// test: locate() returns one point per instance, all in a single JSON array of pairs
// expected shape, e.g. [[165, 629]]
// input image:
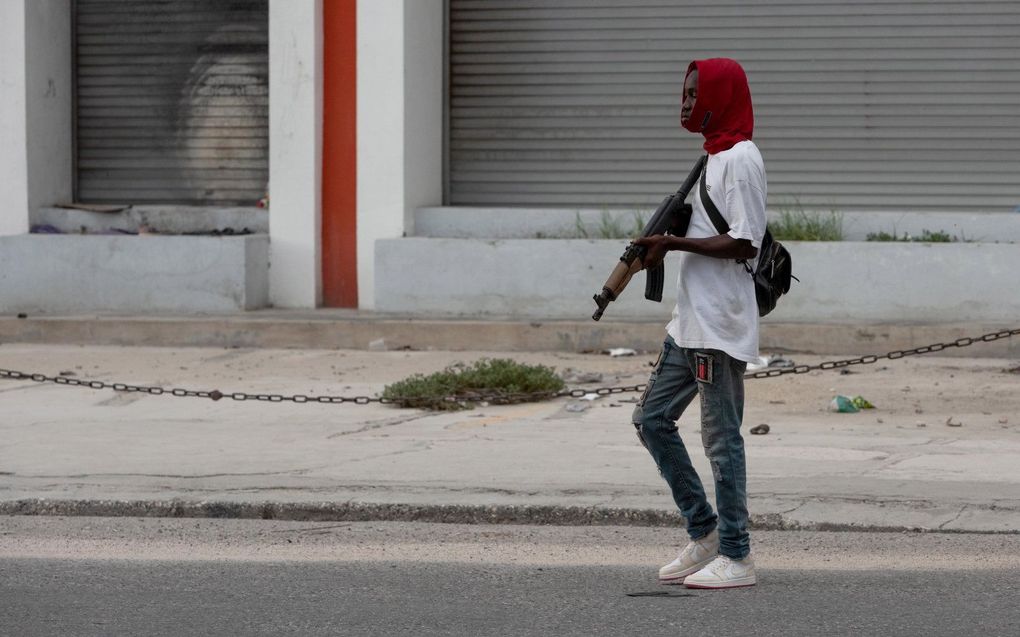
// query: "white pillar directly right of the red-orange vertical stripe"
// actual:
[[400, 123]]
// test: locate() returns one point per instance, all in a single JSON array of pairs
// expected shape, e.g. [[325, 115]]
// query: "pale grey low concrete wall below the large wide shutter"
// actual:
[[843, 282]]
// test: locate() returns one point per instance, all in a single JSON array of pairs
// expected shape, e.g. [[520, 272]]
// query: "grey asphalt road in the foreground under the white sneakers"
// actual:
[[183, 577]]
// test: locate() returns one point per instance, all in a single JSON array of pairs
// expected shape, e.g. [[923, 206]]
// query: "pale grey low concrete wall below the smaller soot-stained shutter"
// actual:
[[63, 274]]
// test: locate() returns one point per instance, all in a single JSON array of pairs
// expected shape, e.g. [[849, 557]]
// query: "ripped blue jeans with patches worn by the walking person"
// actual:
[[719, 379]]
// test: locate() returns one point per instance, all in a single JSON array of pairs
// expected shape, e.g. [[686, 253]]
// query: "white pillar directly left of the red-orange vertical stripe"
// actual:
[[295, 152]]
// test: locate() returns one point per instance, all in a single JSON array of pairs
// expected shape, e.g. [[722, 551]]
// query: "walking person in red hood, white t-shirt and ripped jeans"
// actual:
[[713, 335]]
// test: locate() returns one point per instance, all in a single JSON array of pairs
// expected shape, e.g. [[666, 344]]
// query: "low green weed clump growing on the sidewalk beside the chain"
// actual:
[[499, 379]]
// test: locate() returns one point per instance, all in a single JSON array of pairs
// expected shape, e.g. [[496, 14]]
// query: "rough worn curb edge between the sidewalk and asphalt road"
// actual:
[[436, 514]]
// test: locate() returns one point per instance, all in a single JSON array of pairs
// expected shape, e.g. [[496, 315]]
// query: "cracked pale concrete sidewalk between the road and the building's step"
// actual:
[[76, 451]]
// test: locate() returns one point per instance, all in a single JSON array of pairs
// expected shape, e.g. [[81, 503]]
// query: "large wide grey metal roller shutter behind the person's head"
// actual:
[[890, 105]]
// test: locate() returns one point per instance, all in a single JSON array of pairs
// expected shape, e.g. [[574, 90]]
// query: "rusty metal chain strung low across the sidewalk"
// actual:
[[494, 398]]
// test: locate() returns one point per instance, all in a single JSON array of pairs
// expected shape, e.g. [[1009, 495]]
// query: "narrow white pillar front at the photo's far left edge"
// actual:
[[14, 137]]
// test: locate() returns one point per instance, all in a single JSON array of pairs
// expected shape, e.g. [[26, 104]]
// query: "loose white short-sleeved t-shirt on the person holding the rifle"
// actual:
[[716, 298]]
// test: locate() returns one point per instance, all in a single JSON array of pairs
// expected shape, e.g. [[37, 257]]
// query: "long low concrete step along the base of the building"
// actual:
[[353, 331]]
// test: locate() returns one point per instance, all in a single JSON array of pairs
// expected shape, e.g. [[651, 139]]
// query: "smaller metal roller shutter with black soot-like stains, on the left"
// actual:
[[172, 101]]
